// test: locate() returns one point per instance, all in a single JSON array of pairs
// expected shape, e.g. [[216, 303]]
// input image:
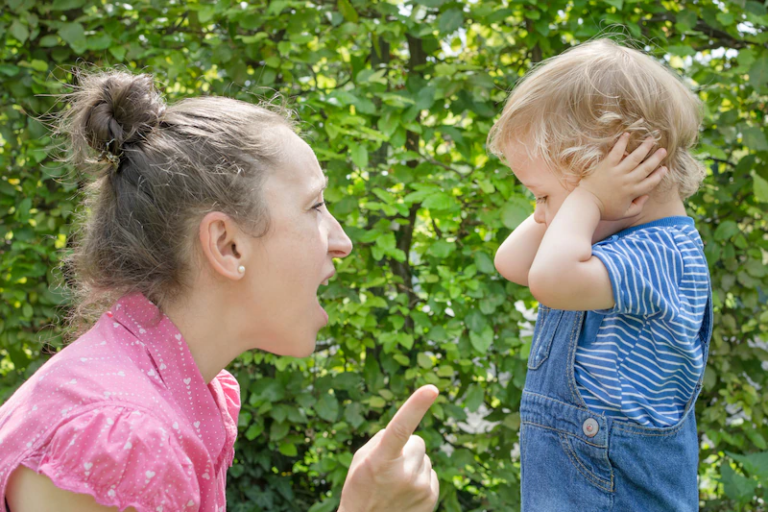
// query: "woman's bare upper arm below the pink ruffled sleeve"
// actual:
[[31, 492]]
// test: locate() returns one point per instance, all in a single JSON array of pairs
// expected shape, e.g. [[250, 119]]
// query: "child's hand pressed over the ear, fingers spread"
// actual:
[[620, 187]]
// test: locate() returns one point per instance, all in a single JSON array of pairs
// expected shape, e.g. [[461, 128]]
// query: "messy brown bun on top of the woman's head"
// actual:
[[111, 110]]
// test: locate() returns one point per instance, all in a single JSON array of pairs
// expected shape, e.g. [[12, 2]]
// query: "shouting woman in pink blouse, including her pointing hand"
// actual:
[[208, 236]]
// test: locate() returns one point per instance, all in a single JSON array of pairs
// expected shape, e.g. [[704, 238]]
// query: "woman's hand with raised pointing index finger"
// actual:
[[392, 471]]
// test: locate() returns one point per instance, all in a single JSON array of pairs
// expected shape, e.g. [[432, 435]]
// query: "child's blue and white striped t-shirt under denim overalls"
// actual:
[[642, 358]]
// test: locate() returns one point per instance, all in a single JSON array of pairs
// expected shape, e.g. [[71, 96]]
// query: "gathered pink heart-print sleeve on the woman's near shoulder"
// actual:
[[123, 458]]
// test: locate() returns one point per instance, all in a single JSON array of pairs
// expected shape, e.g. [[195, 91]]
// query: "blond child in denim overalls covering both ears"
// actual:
[[625, 316]]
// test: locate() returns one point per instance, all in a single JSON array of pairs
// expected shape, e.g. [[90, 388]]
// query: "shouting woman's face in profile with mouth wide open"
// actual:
[[285, 268]]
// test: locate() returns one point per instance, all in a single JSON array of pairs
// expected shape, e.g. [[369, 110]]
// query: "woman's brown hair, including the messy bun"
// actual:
[[159, 169]]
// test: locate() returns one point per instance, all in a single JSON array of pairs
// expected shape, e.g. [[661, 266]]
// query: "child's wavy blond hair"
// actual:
[[571, 109]]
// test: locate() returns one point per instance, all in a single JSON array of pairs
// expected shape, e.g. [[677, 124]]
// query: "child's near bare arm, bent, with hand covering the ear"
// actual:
[[564, 274]]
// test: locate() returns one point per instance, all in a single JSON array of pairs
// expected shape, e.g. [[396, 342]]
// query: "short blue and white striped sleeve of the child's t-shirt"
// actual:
[[646, 274]]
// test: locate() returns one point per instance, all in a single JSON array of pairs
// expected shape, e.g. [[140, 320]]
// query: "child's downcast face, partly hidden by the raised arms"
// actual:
[[550, 193]]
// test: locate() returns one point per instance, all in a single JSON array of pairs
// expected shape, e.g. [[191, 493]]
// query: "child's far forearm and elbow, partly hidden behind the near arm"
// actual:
[[515, 255]]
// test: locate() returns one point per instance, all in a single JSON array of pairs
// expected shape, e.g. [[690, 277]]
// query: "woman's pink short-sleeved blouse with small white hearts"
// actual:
[[124, 414]]
